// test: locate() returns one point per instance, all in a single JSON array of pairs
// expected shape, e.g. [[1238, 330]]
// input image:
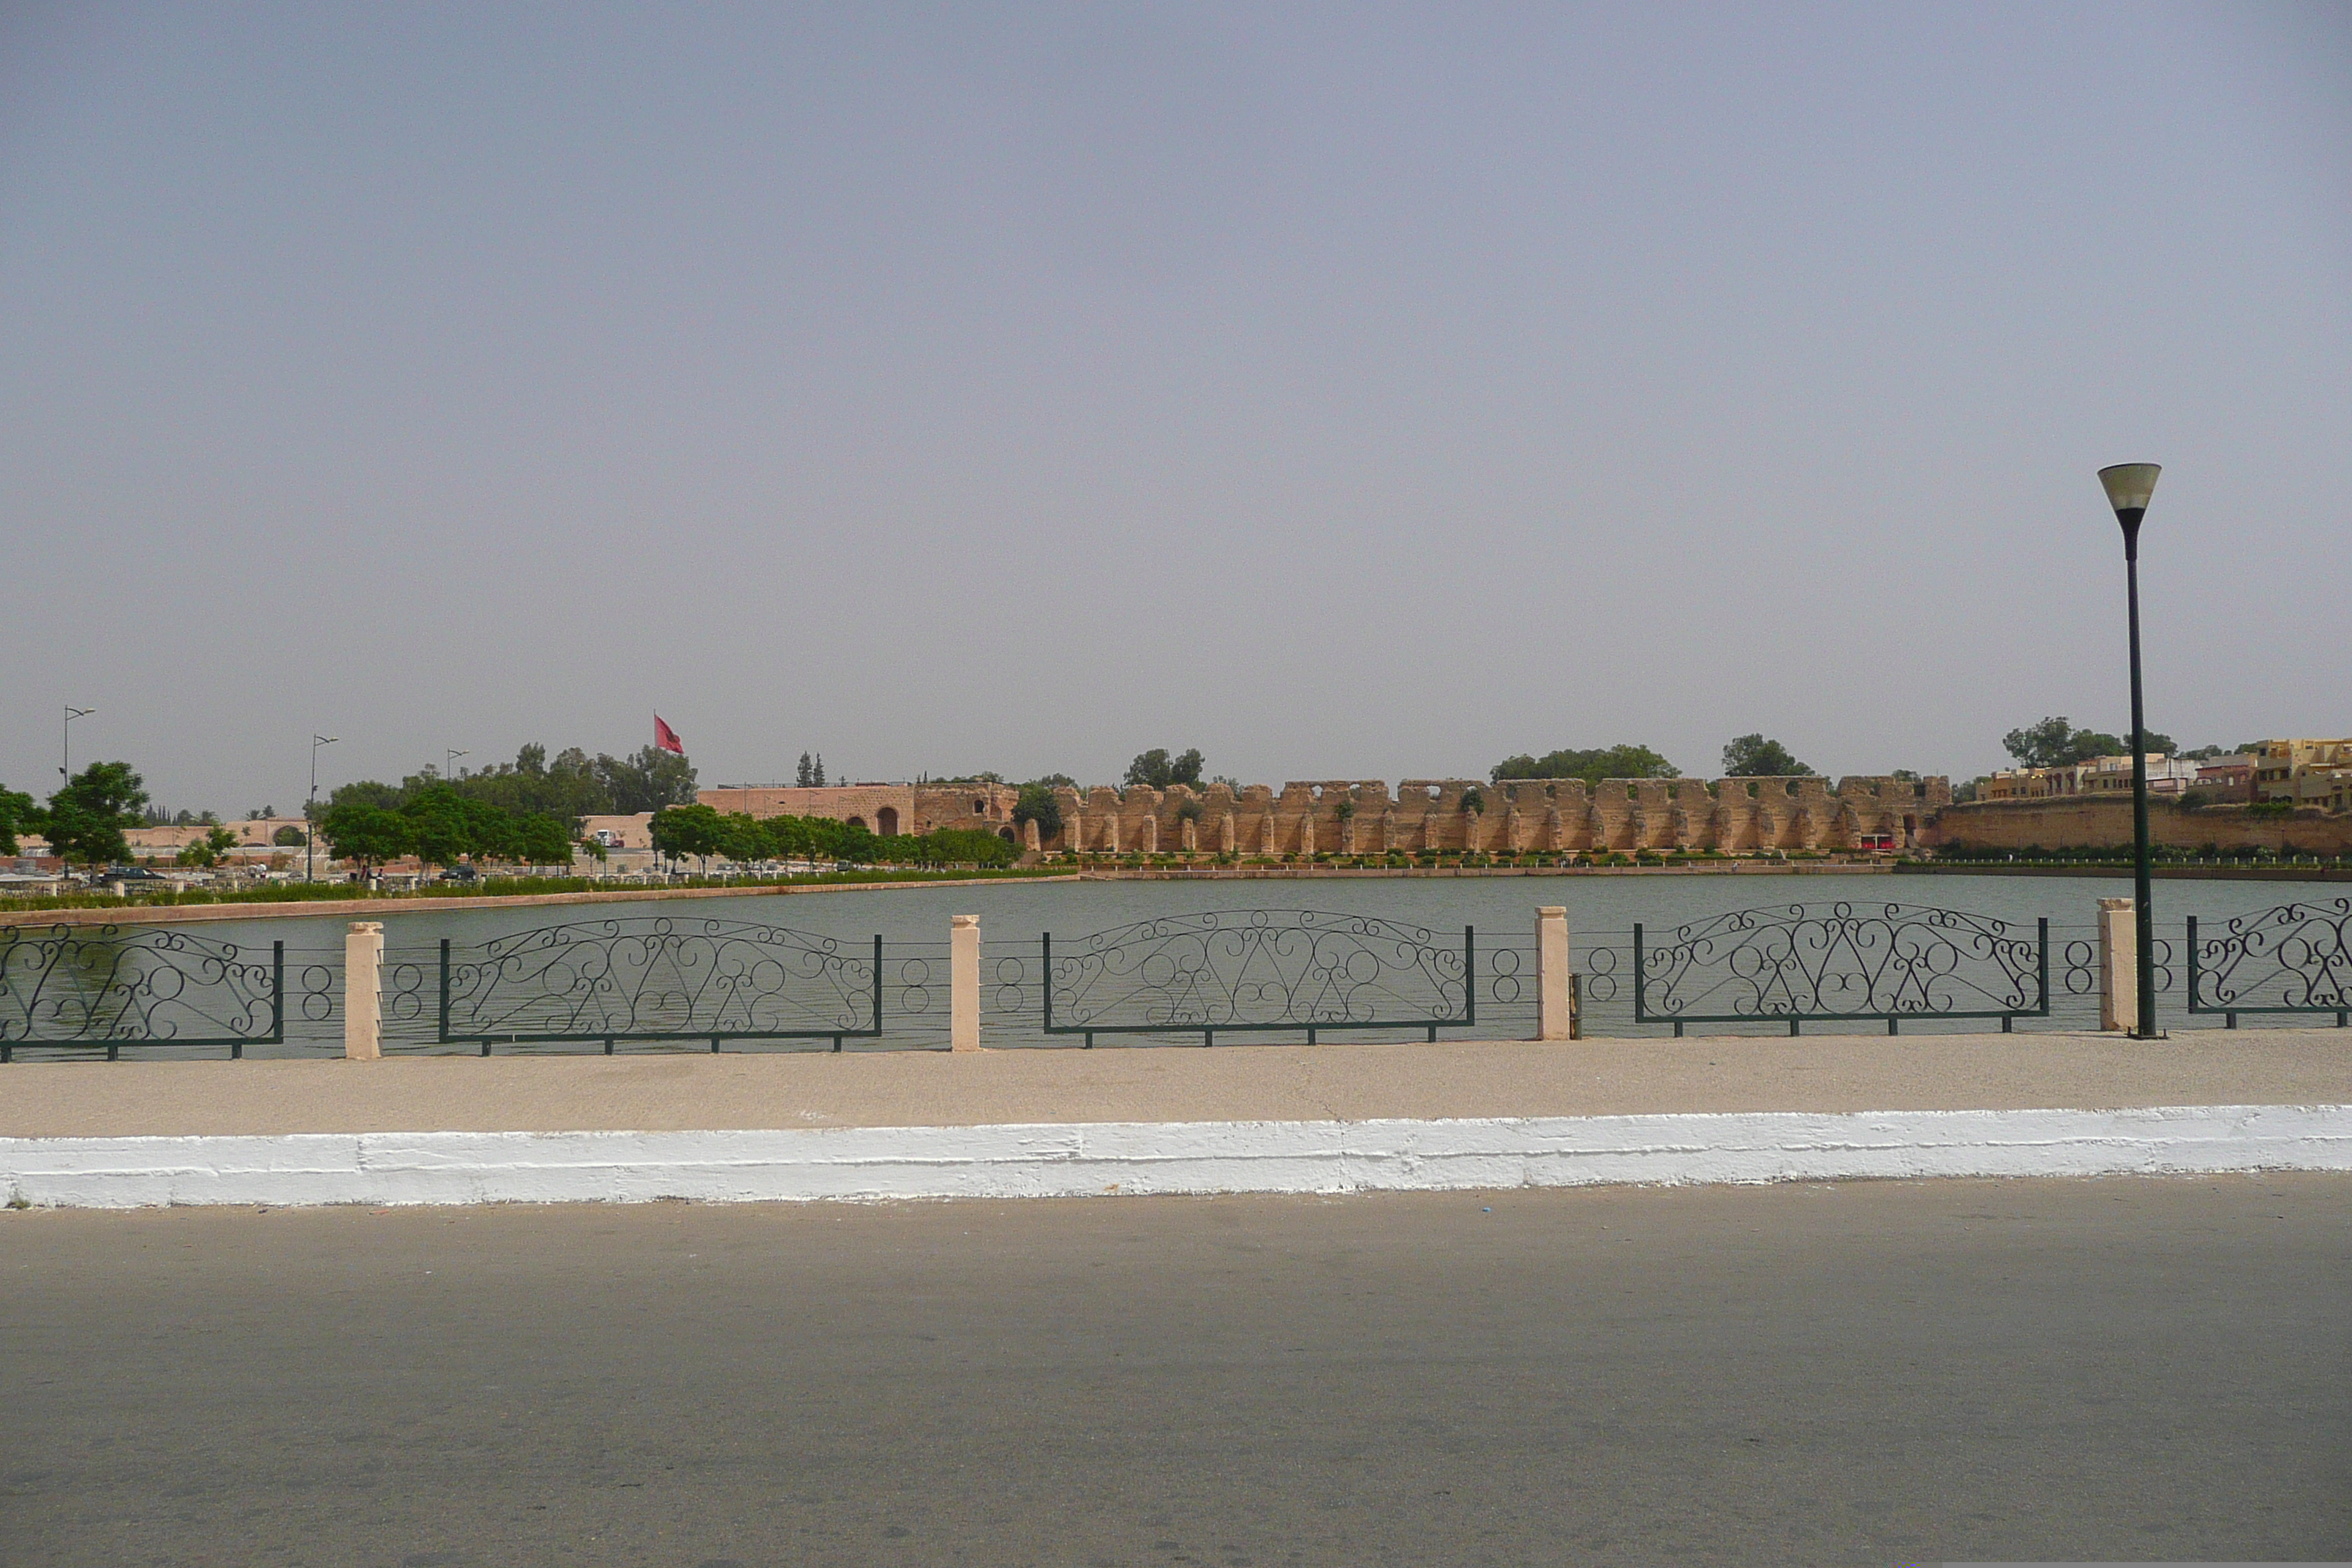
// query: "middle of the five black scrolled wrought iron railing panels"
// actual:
[[1252, 972]]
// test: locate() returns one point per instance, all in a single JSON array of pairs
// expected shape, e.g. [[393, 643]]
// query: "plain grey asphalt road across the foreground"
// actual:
[[1864, 1374]]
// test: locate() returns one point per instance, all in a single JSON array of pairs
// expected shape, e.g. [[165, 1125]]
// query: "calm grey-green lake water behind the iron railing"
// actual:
[[914, 927]]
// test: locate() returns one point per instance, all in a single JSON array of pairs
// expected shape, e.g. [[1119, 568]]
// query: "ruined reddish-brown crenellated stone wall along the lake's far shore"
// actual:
[[1516, 817]]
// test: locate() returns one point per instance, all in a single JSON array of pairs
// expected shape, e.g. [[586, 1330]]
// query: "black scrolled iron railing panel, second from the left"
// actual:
[[653, 979]]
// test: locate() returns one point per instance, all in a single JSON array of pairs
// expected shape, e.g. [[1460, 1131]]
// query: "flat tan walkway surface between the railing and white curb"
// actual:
[[1452, 1080]]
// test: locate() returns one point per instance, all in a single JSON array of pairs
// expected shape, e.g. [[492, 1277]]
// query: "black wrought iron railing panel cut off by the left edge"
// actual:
[[138, 986]]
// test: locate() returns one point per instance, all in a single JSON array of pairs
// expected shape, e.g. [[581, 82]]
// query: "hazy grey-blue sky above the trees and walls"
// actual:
[[1347, 391]]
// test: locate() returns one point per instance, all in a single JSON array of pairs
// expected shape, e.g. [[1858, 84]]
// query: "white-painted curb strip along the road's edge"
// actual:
[[1137, 1158]]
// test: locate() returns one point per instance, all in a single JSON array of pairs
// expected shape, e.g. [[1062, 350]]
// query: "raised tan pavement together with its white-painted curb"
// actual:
[[1168, 1120]]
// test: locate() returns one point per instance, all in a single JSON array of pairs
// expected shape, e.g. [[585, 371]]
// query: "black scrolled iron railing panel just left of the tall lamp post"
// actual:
[[1803, 965]]
